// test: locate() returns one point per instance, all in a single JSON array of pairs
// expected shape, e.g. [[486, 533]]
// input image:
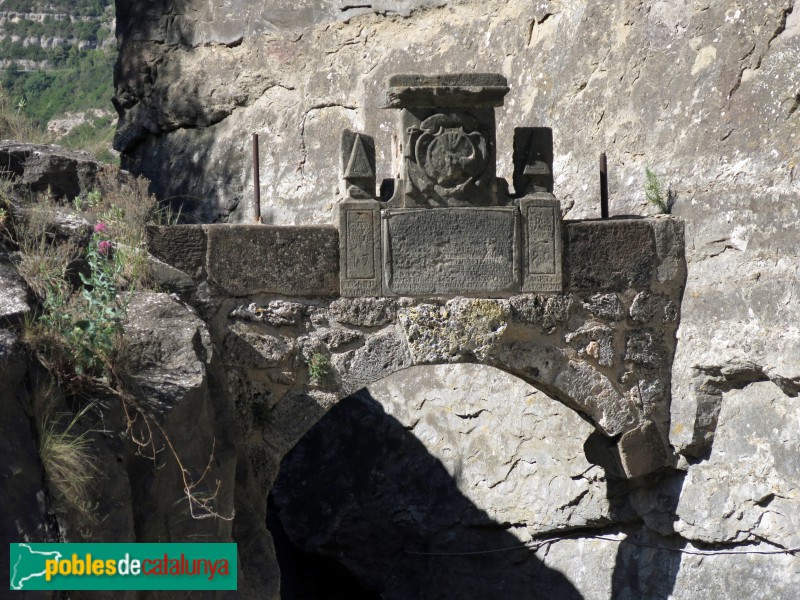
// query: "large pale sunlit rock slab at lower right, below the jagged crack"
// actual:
[[749, 486]]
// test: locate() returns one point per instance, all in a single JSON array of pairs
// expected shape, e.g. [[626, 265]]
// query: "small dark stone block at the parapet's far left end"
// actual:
[[180, 246]]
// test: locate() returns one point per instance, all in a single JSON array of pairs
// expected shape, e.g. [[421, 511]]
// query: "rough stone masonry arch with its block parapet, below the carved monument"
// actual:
[[292, 346]]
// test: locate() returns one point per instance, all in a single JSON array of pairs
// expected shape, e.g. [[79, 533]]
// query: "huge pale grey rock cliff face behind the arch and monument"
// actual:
[[704, 93]]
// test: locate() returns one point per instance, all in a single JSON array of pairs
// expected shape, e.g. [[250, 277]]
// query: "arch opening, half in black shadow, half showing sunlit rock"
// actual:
[[414, 483]]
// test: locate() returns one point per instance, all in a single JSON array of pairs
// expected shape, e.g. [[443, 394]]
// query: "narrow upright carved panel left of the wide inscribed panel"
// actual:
[[359, 248]]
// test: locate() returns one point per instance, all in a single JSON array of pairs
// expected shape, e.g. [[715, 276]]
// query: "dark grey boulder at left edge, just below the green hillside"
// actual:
[[39, 167]]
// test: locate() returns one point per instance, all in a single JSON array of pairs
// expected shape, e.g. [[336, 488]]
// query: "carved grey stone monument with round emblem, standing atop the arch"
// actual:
[[450, 227]]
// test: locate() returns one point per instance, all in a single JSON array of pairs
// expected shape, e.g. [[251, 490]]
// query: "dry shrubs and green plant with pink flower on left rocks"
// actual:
[[79, 327]]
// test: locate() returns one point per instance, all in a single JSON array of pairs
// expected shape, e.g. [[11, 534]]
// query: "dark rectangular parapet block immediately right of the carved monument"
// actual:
[[610, 255]]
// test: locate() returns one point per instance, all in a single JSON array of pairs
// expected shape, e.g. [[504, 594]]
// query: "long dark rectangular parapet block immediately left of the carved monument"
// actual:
[[264, 259]]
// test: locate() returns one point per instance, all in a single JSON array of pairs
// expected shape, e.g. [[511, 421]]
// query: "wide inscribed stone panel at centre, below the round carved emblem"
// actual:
[[450, 251]]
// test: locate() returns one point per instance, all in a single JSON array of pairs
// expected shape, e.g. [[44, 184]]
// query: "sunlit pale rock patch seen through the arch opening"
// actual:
[[517, 456]]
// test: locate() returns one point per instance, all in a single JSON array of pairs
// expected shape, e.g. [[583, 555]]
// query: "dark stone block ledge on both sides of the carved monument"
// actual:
[[599, 256]]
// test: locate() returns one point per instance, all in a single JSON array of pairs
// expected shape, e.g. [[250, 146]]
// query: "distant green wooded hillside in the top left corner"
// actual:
[[70, 80]]
